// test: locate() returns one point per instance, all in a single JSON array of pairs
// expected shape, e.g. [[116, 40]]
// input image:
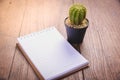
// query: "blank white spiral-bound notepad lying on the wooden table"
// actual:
[[50, 55]]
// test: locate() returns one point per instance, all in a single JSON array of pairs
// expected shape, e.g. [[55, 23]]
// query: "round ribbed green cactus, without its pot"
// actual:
[[77, 13]]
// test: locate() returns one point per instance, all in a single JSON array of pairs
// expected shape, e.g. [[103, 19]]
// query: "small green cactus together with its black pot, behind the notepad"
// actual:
[[76, 24]]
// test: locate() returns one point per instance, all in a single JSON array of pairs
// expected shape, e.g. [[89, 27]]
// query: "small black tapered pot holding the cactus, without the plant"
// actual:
[[75, 35]]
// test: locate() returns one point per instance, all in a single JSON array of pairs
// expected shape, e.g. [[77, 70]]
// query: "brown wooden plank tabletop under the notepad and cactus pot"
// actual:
[[101, 45]]
